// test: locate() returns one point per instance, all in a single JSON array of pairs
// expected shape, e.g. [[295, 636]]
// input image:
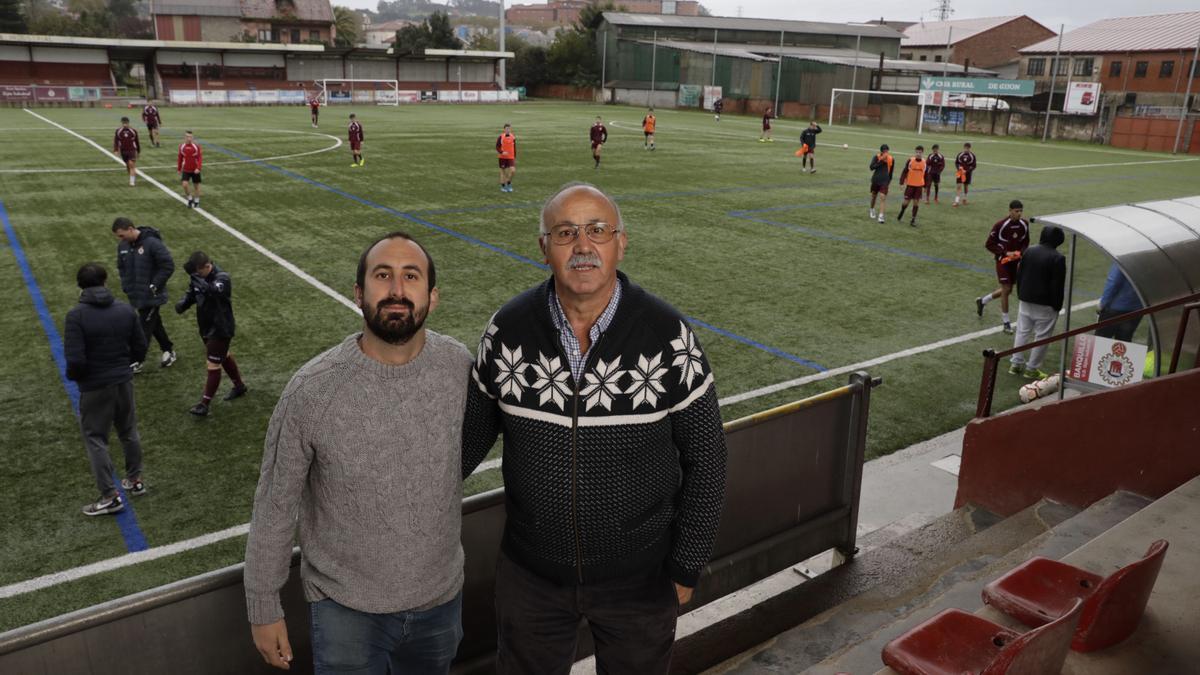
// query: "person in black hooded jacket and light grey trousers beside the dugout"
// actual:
[[1041, 278]]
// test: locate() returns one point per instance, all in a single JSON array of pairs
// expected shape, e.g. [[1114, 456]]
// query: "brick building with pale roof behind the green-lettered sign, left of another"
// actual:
[[993, 44]]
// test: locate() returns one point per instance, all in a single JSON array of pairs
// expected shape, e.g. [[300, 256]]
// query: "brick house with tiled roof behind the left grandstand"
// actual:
[[287, 22]]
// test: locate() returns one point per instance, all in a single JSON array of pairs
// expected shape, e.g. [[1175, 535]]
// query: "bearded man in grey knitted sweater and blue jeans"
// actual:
[[364, 455]]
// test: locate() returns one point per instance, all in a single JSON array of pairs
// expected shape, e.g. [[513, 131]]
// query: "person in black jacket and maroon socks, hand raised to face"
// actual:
[[212, 291]]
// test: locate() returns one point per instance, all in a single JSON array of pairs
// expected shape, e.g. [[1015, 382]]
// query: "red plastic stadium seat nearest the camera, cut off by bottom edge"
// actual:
[[955, 643]]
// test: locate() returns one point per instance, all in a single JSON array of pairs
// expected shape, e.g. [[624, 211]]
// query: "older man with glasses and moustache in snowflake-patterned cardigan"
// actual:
[[614, 453]]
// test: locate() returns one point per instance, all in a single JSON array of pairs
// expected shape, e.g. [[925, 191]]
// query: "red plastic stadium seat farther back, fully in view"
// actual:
[[1042, 590]]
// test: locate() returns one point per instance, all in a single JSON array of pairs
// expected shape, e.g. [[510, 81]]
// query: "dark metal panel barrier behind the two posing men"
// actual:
[[793, 491]]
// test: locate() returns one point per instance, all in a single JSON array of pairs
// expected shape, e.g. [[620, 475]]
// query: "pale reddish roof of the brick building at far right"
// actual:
[[1127, 34]]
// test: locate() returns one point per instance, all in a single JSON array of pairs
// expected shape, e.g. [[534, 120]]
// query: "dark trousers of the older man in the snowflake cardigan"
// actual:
[[633, 623]]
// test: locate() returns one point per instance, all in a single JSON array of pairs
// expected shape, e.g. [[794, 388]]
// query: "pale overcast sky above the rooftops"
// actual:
[[1072, 13]]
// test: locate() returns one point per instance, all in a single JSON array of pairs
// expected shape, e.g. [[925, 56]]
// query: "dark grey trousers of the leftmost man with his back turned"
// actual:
[[100, 411]]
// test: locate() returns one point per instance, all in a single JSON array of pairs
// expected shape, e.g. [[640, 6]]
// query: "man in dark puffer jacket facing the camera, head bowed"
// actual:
[[146, 265]]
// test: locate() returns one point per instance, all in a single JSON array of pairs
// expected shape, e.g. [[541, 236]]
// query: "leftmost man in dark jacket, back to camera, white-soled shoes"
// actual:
[[103, 338]]
